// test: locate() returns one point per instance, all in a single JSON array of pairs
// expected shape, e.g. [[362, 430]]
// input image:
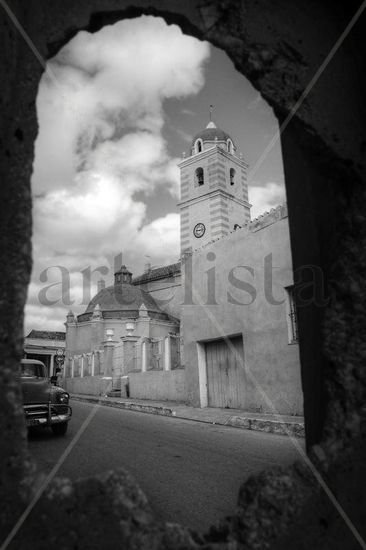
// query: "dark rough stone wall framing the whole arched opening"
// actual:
[[279, 46]]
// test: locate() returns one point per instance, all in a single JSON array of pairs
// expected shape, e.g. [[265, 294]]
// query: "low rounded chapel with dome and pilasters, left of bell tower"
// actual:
[[122, 330]]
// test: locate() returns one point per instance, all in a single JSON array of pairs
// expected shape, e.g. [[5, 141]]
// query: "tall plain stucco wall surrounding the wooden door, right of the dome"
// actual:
[[273, 363]]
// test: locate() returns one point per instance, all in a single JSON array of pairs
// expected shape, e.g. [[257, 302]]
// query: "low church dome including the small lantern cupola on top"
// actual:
[[122, 300]]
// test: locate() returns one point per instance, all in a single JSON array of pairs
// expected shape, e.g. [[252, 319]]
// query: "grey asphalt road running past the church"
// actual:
[[190, 471]]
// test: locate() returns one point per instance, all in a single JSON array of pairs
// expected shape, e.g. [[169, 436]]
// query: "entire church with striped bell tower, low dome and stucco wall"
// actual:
[[218, 327]]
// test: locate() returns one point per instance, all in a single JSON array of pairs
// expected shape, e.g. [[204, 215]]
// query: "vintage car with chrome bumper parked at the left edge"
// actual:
[[44, 404]]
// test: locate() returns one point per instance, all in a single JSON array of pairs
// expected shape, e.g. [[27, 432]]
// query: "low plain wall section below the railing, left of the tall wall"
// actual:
[[165, 385]]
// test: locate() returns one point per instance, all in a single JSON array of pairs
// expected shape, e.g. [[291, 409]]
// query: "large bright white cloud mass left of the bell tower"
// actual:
[[100, 141]]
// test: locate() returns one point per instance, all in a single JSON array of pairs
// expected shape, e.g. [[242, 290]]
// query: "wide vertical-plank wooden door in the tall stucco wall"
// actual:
[[225, 373]]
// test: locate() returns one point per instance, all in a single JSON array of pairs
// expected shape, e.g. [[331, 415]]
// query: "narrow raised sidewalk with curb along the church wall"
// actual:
[[270, 423]]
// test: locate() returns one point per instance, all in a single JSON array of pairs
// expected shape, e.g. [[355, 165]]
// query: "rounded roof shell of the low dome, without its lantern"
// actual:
[[123, 298]]
